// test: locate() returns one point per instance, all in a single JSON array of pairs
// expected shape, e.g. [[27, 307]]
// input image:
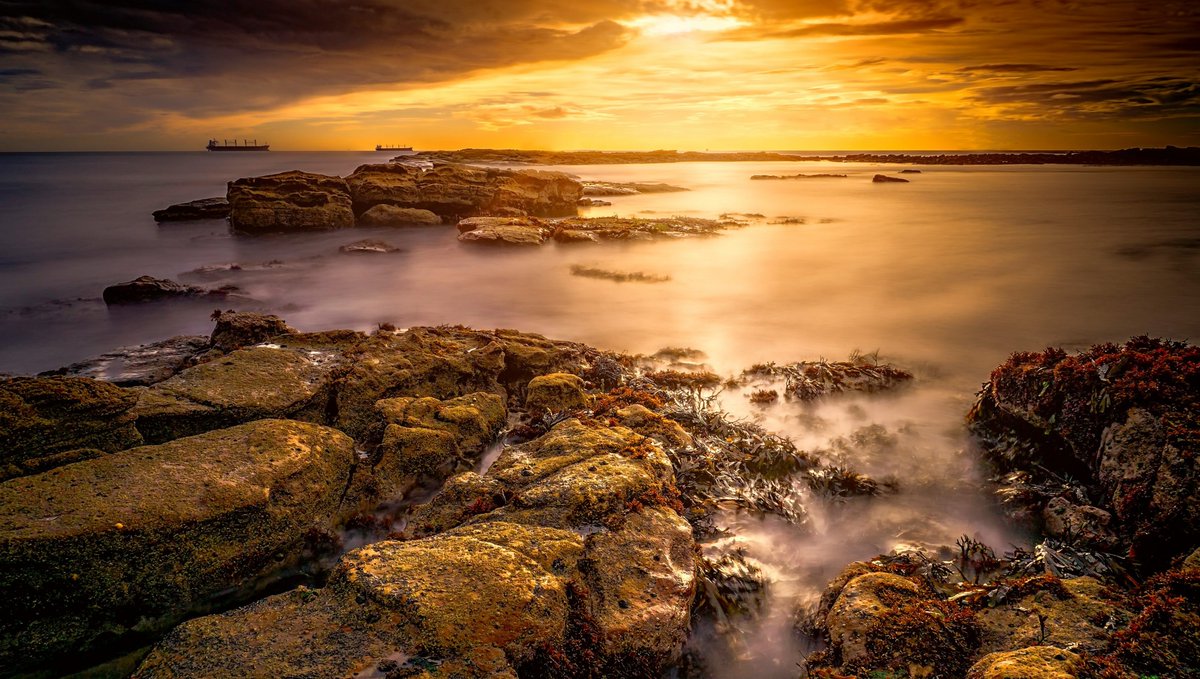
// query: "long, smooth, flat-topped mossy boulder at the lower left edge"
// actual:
[[97, 554]]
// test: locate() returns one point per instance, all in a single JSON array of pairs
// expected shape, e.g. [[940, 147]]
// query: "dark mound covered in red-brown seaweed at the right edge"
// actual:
[[1121, 423]]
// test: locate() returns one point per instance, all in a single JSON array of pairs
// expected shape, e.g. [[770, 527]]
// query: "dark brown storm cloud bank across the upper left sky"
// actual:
[[235, 56]]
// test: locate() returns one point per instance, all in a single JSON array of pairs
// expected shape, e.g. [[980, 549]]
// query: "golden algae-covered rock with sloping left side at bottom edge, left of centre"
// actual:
[[475, 603]]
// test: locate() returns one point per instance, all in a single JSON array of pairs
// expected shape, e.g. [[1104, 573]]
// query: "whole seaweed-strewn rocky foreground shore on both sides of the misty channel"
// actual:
[[244, 468]]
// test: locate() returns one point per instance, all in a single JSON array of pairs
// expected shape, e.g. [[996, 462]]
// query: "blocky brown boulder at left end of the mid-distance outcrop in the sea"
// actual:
[[290, 202]]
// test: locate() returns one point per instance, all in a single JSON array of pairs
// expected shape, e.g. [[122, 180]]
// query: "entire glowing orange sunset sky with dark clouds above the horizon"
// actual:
[[693, 75]]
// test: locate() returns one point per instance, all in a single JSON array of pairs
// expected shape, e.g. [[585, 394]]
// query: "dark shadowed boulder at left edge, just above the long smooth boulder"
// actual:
[[51, 422]]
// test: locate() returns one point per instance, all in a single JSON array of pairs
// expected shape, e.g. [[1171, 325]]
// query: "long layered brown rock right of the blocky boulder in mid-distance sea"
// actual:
[[454, 191]]
